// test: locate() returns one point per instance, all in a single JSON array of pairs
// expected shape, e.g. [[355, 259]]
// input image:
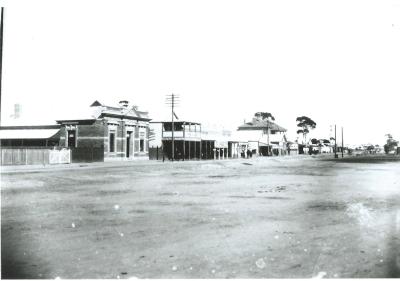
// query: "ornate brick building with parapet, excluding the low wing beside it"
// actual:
[[119, 133]]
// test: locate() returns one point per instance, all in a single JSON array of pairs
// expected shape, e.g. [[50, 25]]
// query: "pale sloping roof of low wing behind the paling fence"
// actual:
[[28, 132]]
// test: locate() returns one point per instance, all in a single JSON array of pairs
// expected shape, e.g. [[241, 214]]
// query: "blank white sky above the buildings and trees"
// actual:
[[337, 62]]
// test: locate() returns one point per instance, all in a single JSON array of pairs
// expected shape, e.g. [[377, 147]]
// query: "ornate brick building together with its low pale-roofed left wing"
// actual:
[[100, 133]]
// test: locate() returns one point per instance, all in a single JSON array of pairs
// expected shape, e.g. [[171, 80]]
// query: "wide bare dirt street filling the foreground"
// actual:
[[245, 218]]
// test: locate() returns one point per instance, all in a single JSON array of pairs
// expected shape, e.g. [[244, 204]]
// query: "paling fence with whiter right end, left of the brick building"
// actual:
[[34, 156]]
